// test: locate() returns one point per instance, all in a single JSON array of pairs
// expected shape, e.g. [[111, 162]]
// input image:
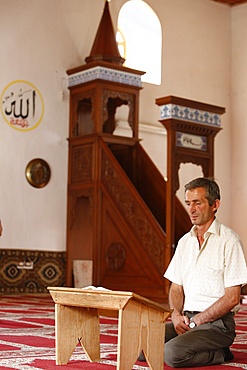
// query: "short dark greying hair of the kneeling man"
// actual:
[[211, 187]]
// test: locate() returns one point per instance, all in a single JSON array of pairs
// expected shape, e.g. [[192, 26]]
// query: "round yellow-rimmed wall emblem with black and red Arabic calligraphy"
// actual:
[[22, 105]]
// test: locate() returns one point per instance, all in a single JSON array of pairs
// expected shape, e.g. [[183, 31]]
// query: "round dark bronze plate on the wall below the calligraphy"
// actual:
[[38, 173]]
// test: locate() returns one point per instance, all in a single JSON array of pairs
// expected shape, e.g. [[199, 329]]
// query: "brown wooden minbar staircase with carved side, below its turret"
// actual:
[[117, 215]]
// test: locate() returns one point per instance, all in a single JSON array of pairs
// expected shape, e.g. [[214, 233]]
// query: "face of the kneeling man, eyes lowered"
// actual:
[[198, 208]]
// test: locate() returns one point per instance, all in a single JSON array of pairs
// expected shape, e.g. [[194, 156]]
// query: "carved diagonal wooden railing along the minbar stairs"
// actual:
[[133, 208]]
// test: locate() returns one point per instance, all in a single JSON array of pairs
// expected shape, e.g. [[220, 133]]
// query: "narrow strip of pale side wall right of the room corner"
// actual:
[[239, 122]]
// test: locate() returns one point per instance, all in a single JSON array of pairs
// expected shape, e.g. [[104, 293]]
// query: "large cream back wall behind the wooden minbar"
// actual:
[[42, 39]]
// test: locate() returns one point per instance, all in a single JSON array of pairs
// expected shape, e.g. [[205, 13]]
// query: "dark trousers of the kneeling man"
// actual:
[[200, 346]]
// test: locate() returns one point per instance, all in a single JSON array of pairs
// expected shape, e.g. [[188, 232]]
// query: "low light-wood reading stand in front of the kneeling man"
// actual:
[[141, 325]]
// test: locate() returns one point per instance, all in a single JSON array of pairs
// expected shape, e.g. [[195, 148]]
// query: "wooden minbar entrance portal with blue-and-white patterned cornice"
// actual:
[[191, 129]]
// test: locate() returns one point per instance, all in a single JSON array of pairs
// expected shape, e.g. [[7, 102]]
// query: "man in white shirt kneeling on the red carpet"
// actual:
[[206, 274]]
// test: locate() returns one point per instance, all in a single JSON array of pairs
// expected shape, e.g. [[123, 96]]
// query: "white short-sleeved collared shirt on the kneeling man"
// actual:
[[205, 273]]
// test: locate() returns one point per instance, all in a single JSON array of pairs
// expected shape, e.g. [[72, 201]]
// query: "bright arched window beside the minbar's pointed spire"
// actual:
[[141, 39]]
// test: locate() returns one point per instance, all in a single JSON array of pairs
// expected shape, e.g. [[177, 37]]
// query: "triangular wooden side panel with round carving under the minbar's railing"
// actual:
[[125, 263]]
